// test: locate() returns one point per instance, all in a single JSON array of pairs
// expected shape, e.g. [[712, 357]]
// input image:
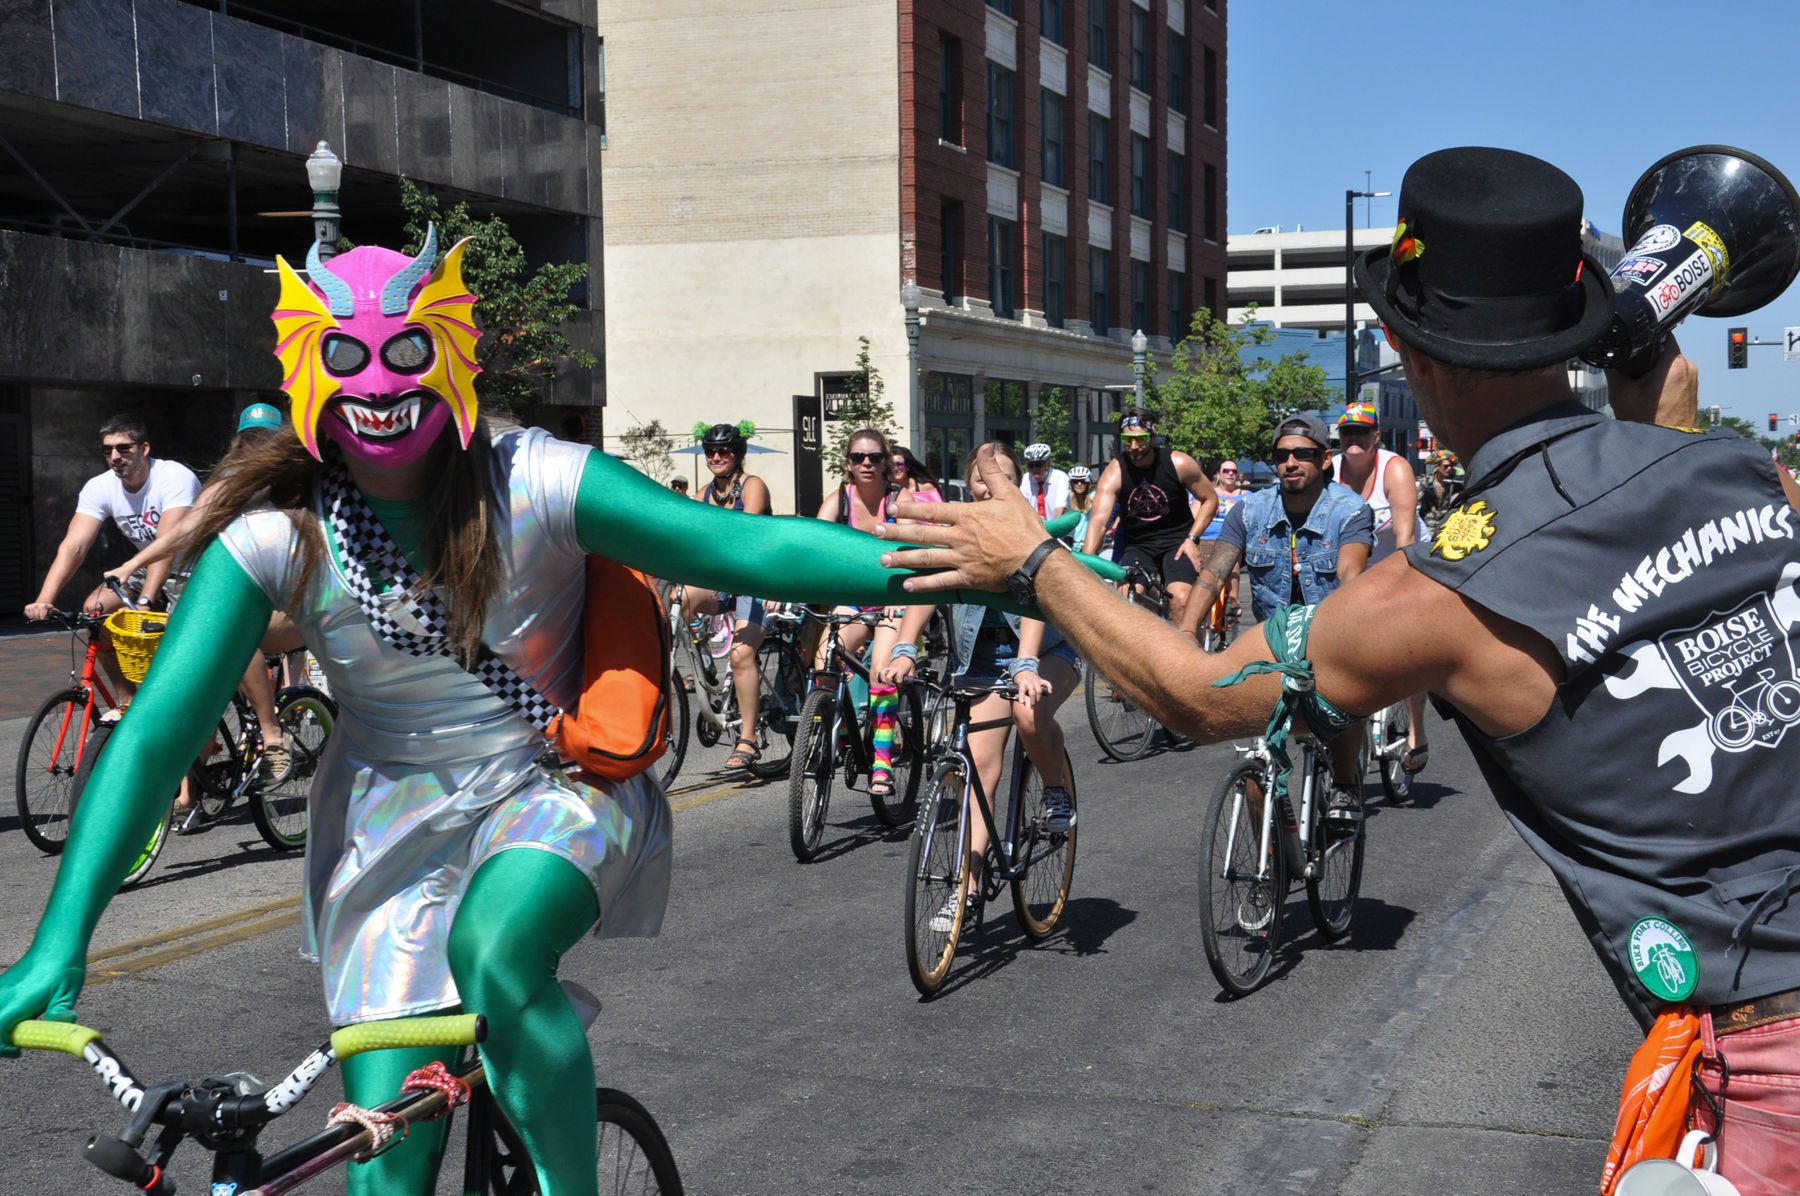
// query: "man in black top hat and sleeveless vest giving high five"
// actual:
[[1621, 653]]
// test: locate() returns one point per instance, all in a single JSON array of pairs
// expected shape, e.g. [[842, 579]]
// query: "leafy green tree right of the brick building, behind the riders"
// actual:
[[1216, 404]]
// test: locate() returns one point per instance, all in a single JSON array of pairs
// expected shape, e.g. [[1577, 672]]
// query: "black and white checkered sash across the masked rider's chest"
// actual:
[[372, 561]]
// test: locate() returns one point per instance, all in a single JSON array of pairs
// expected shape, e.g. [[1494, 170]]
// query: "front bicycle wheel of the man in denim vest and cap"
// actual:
[[1241, 912]]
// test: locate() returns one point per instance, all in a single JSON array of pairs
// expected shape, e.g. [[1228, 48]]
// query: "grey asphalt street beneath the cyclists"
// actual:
[[1462, 1040]]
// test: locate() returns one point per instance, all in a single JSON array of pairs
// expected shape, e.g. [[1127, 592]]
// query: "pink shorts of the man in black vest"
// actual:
[[1759, 1148]]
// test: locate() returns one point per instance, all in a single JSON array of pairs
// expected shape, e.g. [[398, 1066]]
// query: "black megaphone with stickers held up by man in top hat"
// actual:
[[1713, 230]]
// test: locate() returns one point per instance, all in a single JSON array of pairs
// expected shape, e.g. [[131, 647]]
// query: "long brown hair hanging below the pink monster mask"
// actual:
[[462, 514]]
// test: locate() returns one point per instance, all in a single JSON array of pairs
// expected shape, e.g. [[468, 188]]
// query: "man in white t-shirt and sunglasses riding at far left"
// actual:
[[136, 493]]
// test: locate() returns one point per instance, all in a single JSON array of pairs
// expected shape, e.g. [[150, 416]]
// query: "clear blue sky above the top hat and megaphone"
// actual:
[[1324, 91]]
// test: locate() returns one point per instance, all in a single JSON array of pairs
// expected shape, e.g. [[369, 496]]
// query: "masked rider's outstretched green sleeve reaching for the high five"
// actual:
[[627, 518]]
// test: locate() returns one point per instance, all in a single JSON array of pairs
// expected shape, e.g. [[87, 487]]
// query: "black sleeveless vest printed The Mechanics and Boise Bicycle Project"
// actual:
[[1662, 783]]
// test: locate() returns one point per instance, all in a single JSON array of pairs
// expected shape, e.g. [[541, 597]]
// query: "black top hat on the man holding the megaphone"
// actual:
[[1486, 269]]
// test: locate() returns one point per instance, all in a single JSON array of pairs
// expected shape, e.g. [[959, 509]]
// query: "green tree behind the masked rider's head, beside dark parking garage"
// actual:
[[519, 309]]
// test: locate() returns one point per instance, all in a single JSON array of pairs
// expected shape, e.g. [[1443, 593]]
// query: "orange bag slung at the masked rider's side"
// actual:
[[620, 727]]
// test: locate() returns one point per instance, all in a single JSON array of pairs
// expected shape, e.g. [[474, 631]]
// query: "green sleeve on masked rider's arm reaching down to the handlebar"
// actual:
[[215, 630]]
